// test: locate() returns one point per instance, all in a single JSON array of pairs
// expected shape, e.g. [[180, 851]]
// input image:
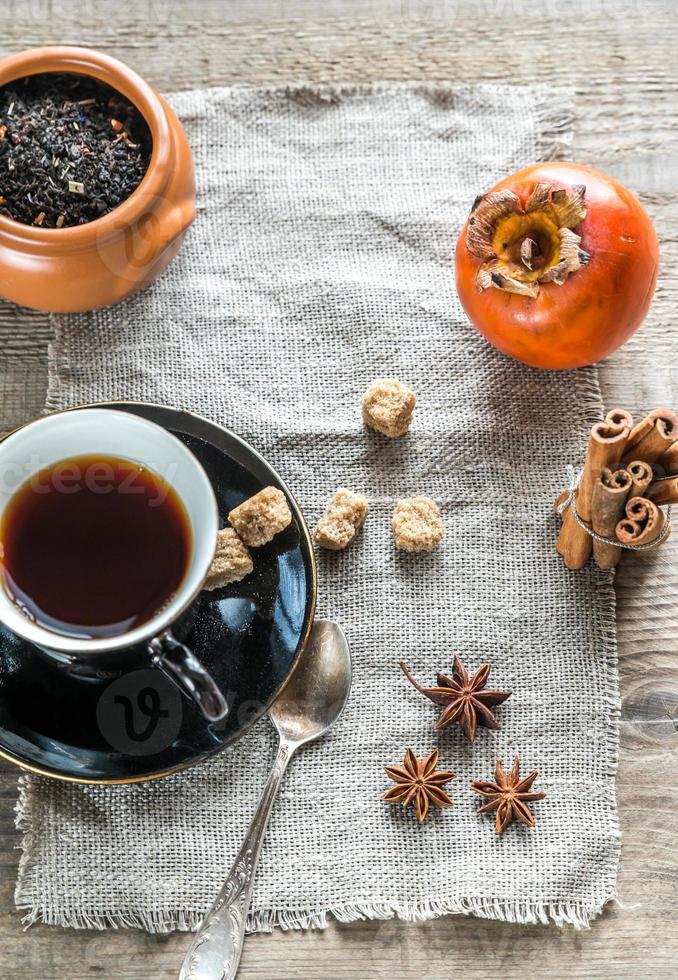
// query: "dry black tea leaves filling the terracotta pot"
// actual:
[[71, 150]]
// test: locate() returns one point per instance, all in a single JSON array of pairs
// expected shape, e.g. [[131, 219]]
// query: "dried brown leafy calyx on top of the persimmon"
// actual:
[[523, 247]]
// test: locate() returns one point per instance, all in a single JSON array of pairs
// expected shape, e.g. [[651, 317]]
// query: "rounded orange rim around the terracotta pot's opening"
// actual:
[[75, 60]]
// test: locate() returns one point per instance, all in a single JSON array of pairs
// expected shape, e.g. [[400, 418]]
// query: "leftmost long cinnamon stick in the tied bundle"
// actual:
[[606, 445]]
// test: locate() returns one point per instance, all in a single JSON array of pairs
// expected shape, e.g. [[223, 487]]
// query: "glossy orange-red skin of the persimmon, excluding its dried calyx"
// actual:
[[600, 306]]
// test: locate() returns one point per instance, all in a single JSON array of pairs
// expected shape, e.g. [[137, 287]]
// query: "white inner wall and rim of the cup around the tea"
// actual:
[[90, 431]]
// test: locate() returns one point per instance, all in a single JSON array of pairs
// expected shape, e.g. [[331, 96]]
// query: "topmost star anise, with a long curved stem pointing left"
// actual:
[[466, 701]]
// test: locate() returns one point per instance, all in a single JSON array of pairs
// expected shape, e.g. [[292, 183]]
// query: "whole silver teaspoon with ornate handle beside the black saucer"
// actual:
[[310, 704]]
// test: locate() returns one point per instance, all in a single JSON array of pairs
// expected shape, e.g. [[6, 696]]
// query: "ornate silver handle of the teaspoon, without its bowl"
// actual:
[[217, 947]]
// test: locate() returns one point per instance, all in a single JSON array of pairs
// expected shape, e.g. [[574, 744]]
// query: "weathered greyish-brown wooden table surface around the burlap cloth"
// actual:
[[619, 58]]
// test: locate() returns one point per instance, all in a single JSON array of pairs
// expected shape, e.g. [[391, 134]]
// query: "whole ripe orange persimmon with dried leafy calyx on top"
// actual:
[[556, 265]]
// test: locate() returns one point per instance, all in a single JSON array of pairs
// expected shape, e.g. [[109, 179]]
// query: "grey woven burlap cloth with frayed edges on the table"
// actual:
[[321, 258]]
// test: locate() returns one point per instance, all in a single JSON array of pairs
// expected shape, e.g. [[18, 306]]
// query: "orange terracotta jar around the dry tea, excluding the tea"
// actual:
[[64, 270]]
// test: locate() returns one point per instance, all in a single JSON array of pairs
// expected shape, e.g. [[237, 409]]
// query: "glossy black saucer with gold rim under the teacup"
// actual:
[[129, 727]]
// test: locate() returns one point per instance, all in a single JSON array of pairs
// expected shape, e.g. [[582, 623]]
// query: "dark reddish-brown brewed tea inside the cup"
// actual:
[[94, 546]]
